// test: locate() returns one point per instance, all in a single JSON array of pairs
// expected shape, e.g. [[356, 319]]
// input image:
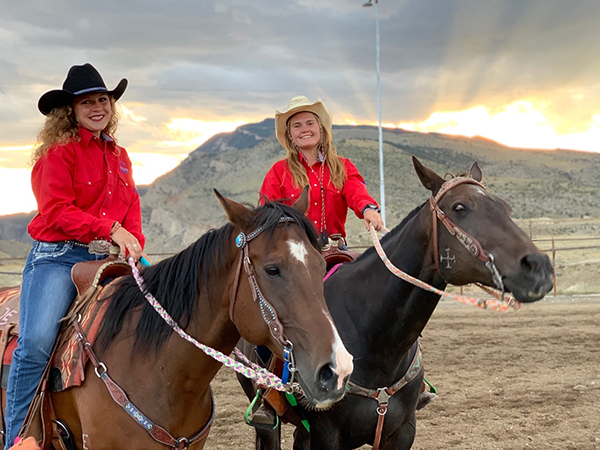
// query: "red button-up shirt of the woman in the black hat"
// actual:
[[81, 189]]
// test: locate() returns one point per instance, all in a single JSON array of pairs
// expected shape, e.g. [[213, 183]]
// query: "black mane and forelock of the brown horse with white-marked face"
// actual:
[[176, 282]]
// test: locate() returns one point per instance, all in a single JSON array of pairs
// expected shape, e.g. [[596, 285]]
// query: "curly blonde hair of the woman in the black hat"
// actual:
[[62, 127]]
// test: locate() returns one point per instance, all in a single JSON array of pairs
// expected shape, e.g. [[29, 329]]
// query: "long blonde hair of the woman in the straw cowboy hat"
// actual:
[[337, 171]]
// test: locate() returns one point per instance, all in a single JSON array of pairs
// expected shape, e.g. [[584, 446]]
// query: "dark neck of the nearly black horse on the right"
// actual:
[[385, 315]]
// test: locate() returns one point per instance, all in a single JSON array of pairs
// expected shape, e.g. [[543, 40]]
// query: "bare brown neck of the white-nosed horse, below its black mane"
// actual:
[[178, 379]]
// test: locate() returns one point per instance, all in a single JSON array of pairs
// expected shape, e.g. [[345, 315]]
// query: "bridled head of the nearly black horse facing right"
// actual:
[[479, 240]]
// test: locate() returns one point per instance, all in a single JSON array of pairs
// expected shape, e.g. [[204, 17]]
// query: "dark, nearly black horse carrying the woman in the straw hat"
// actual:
[[380, 316]]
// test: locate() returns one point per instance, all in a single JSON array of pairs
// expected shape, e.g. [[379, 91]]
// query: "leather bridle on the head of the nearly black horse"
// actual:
[[472, 245]]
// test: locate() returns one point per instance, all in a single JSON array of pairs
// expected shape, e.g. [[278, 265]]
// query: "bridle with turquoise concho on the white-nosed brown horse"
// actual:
[[267, 310]]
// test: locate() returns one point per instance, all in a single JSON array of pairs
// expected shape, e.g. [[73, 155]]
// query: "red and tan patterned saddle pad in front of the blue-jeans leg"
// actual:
[[69, 358]]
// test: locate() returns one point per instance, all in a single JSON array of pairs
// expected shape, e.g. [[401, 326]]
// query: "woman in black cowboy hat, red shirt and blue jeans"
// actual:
[[86, 199]]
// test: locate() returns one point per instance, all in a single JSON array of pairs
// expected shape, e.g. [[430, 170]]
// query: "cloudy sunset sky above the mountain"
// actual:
[[522, 72]]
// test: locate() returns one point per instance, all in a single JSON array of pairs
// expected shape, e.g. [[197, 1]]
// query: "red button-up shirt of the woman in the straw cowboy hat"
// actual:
[[278, 185]]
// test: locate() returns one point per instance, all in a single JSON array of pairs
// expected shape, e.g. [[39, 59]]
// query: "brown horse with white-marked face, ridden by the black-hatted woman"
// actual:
[[166, 379]]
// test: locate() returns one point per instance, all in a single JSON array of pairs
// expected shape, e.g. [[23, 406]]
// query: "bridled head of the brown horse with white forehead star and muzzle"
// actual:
[[282, 306]]
